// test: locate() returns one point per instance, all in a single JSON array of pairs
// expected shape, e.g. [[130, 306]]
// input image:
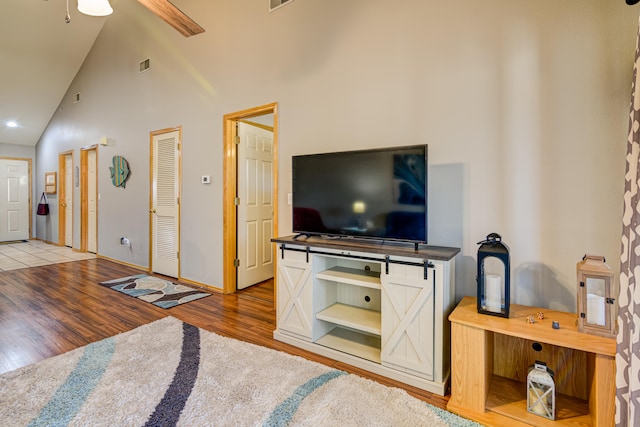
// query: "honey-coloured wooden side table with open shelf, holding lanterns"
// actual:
[[490, 357]]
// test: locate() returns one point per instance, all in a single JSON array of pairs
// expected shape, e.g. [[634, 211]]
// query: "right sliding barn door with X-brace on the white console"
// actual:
[[408, 320]]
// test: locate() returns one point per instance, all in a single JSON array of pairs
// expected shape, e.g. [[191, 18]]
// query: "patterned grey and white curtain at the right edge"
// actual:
[[628, 342]]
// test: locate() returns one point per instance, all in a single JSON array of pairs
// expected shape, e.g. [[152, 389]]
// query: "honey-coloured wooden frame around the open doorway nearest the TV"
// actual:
[[230, 188]]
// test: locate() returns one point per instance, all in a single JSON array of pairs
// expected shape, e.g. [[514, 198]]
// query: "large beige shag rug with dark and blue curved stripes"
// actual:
[[170, 373]]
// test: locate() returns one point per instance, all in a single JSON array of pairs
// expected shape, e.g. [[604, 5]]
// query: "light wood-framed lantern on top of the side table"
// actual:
[[597, 308]]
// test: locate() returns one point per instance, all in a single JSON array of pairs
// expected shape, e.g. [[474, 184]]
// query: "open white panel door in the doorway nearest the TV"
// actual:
[[255, 211]]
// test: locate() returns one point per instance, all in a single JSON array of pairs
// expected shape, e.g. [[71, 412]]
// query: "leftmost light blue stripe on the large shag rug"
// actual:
[[70, 396]]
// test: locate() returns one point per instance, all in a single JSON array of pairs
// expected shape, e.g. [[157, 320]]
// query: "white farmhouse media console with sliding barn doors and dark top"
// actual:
[[379, 306]]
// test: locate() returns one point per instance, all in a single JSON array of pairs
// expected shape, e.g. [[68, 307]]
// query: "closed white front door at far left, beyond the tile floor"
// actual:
[[14, 200]]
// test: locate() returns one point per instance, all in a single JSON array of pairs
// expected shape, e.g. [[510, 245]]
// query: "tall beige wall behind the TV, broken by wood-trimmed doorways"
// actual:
[[524, 105]]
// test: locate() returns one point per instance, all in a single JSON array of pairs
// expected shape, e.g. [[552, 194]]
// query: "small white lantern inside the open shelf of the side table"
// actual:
[[541, 391]]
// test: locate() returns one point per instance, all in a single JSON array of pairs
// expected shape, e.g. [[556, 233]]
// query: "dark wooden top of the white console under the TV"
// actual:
[[391, 248]]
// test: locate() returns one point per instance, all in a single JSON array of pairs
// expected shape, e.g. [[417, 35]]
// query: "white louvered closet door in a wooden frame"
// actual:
[[165, 204]]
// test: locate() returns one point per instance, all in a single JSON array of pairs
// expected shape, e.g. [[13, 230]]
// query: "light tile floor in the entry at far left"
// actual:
[[34, 253]]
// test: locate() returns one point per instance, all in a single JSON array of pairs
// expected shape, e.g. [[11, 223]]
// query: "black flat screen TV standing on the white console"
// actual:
[[377, 194]]
